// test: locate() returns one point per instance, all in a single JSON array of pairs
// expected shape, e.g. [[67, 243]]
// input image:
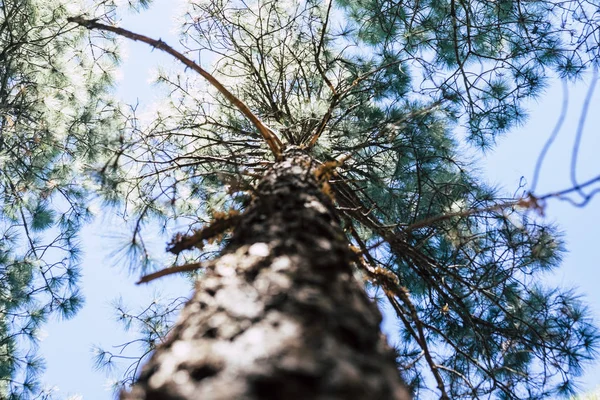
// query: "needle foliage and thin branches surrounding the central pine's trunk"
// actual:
[[384, 83]]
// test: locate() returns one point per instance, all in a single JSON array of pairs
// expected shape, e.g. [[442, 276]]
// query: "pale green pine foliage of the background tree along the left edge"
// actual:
[[54, 118]]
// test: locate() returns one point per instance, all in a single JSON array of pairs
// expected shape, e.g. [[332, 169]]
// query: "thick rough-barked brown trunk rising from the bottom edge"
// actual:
[[279, 315]]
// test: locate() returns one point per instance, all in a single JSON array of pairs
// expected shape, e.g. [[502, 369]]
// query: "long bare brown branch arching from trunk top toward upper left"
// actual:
[[268, 135]]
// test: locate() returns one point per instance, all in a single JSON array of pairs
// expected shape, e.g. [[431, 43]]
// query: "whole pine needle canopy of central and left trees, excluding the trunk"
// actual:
[[384, 95]]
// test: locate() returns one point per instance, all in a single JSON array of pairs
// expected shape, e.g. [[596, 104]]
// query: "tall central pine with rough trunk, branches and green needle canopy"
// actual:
[[323, 147]]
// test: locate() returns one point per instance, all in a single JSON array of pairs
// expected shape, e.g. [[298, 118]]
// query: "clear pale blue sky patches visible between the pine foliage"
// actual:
[[67, 347]]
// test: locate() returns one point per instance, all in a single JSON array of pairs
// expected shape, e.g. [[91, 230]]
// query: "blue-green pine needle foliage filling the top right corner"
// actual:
[[484, 56]]
